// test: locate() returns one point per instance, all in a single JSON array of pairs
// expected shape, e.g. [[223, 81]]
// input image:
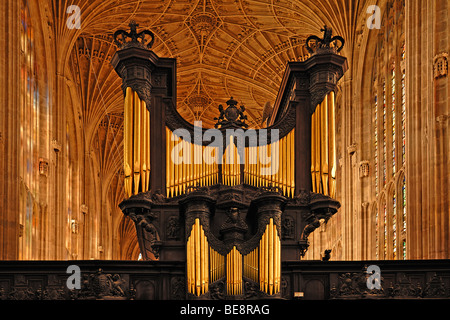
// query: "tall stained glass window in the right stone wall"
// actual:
[[389, 136]]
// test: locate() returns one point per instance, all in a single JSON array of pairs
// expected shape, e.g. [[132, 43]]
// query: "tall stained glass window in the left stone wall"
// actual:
[[34, 115]]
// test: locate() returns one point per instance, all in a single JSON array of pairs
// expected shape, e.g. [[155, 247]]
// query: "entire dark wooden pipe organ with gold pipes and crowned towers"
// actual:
[[244, 213]]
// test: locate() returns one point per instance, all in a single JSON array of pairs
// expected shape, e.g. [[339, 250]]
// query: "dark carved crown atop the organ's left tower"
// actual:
[[133, 38]]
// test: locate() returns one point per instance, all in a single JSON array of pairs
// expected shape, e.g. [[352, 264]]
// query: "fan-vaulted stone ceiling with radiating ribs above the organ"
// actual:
[[235, 48]]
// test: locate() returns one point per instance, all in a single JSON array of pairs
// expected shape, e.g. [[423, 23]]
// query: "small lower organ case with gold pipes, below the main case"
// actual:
[[259, 260]]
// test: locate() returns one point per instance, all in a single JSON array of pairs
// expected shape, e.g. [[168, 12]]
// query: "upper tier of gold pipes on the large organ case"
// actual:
[[198, 165]]
